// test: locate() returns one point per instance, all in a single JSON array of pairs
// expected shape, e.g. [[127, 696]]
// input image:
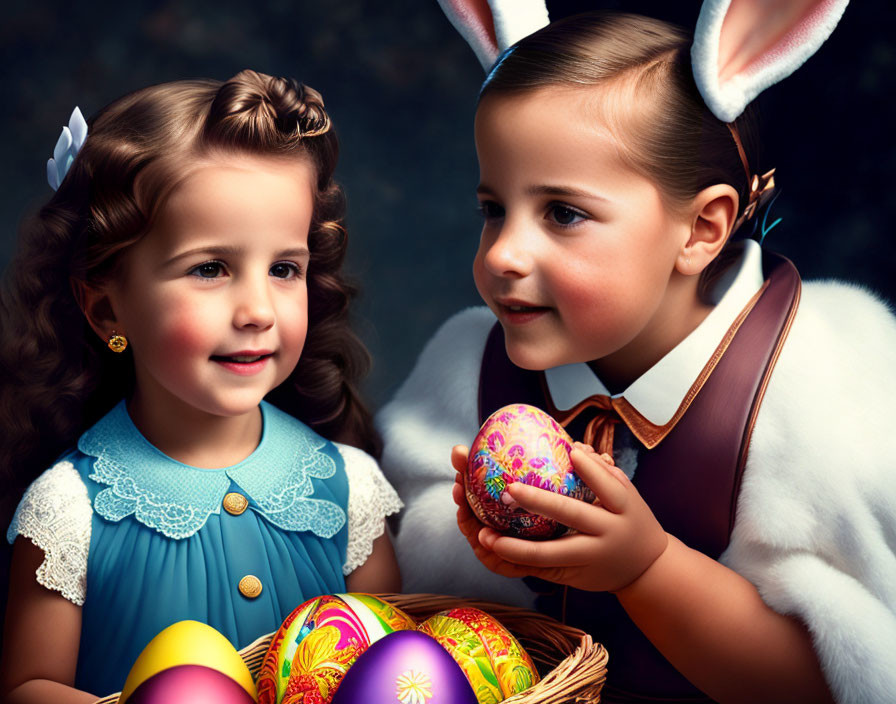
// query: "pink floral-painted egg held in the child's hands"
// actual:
[[520, 443]]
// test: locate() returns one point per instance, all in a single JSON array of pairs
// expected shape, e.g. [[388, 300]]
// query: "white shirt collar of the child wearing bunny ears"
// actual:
[[658, 392]]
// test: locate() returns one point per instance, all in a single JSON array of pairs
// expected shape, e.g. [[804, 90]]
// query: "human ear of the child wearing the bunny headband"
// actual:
[[713, 216]]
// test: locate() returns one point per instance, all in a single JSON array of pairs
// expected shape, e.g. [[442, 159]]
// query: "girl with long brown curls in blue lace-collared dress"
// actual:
[[176, 326]]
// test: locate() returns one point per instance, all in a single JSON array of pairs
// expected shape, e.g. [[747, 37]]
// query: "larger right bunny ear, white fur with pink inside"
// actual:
[[741, 47]]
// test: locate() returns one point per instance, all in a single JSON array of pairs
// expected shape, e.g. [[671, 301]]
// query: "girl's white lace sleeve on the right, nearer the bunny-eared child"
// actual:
[[370, 499]]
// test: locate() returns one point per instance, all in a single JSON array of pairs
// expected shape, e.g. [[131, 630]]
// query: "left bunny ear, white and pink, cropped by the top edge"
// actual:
[[490, 26]]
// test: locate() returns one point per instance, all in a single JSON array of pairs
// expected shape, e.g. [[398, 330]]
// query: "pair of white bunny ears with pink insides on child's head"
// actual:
[[741, 47]]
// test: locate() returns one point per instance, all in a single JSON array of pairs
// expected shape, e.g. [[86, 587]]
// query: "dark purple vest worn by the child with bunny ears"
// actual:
[[690, 480]]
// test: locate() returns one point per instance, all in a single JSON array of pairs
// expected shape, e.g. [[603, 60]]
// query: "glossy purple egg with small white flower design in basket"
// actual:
[[405, 667]]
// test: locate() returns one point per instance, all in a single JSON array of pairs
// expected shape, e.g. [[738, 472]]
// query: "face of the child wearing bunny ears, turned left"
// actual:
[[578, 251]]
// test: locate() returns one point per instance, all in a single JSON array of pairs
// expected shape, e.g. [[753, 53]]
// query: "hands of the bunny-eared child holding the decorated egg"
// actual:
[[618, 537]]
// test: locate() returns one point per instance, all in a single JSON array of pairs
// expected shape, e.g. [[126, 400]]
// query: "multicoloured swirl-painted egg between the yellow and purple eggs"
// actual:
[[318, 642]]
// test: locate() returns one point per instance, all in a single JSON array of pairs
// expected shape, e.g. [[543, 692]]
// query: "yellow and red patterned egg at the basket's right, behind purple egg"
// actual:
[[492, 659]]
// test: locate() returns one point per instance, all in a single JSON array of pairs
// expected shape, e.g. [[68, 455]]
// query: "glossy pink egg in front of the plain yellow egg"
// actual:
[[190, 684]]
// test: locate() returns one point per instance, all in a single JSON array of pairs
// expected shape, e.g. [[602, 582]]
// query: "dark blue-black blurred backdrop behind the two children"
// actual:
[[400, 85]]
